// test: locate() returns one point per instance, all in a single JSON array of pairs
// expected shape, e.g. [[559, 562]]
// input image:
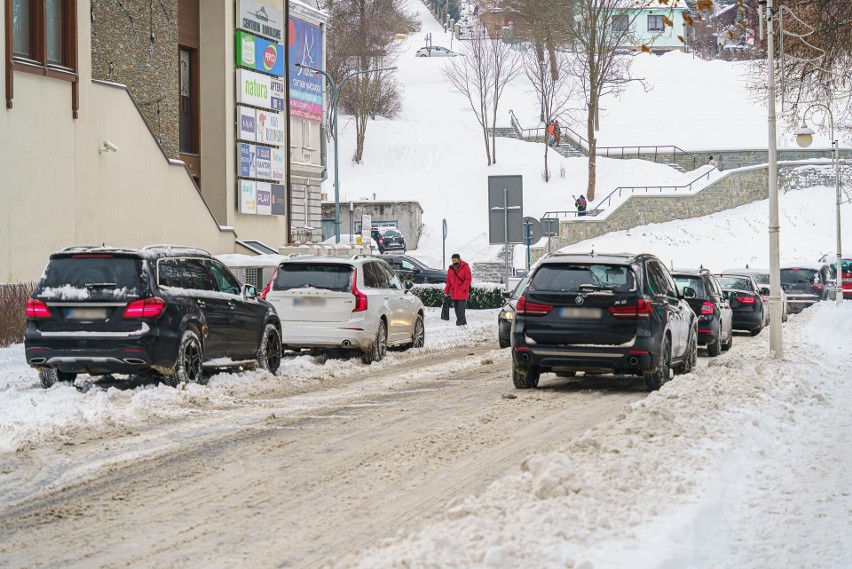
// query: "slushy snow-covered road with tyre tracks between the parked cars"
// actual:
[[291, 476]]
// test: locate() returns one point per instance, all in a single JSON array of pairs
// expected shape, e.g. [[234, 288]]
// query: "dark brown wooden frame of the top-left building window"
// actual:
[[38, 63]]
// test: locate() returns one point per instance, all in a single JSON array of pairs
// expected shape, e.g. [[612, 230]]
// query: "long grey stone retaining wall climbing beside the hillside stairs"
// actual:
[[734, 189]]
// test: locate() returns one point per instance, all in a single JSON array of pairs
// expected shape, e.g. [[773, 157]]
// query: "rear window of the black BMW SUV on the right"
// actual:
[[570, 277]]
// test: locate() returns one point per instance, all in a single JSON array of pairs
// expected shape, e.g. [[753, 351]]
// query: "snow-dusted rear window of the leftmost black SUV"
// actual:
[[81, 277]]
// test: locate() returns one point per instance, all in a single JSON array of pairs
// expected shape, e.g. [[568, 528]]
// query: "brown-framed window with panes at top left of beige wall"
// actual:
[[43, 42]]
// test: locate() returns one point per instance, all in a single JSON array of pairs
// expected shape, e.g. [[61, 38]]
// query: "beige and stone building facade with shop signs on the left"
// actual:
[[122, 125]]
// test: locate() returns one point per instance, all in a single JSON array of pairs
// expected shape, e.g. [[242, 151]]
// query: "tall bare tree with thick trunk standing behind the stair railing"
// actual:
[[599, 30]]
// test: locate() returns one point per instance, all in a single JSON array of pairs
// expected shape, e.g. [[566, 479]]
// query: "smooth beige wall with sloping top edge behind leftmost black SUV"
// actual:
[[57, 190]]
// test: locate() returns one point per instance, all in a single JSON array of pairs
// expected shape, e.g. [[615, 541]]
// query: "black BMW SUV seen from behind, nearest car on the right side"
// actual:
[[617, 313]]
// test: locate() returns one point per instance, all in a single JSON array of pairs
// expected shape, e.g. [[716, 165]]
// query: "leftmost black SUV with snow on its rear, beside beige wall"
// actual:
[[158, 310]]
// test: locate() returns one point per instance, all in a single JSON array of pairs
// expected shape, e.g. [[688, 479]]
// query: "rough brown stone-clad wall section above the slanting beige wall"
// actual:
[[122, 35]]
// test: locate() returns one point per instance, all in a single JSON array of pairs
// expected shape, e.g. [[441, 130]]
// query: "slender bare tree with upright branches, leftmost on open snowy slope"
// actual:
[[481, 76]]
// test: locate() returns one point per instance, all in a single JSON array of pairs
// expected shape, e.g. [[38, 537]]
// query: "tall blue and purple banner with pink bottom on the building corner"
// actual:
[[305, 86]]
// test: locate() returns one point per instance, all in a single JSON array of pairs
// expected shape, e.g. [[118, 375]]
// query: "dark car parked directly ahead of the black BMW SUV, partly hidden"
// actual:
[[715, 317]]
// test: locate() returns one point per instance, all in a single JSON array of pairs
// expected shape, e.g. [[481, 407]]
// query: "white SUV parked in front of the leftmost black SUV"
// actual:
[[351, 303]]
